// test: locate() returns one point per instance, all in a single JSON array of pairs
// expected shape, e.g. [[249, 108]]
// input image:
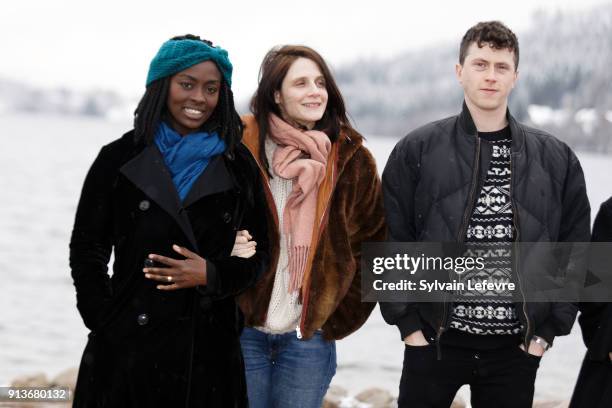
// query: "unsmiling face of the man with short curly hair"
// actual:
[[487, 76]]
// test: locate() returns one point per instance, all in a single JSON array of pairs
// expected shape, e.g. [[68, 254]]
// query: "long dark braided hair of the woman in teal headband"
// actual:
[[152, 110]]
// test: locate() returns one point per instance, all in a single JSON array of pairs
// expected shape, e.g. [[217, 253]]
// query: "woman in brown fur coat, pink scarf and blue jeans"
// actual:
[[324, 200]]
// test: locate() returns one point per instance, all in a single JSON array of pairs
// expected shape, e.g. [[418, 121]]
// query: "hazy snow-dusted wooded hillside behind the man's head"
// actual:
[[565, 72]]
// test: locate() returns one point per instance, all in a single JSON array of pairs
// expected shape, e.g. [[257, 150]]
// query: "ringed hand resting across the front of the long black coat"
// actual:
[[179, 273]]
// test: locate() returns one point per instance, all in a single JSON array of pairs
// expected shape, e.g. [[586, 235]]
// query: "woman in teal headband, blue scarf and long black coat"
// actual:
[[168, 199]]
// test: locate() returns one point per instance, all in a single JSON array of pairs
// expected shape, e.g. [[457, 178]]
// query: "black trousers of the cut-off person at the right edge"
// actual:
[[594, 385]]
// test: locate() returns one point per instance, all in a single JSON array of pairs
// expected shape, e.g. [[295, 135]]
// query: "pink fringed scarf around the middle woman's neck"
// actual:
[[301, 156]]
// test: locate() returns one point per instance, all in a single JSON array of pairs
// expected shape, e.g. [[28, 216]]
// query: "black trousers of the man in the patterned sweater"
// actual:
[[498, 378]]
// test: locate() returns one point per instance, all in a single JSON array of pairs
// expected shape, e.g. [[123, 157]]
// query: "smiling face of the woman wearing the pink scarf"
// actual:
[[302, 98]]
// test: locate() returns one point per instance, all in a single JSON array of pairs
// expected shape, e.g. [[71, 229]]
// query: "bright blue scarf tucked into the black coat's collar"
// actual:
[[187, 156]]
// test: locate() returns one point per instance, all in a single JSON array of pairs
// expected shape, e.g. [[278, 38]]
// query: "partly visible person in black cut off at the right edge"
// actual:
[[594, 385]]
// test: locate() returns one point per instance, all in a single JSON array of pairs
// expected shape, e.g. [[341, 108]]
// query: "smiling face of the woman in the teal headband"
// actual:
[[193, 96]]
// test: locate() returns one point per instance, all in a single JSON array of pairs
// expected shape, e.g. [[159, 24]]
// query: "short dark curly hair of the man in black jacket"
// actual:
[[492, 33]]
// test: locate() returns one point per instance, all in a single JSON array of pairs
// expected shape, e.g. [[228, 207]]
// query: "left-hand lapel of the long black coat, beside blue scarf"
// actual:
[[149, 173]]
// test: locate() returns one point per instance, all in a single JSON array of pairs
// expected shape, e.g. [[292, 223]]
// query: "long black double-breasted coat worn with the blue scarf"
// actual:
[[152, 348]]
